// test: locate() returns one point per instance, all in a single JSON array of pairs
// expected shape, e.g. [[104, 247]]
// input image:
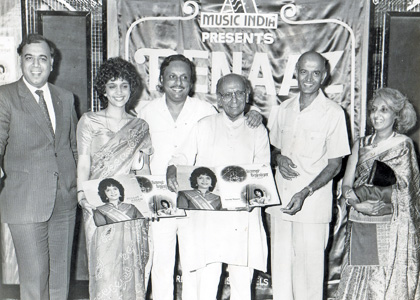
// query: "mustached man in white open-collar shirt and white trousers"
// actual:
[[171, 119]]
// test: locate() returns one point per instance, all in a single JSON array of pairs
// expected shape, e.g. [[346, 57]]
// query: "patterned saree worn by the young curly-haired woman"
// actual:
[[118, 254]]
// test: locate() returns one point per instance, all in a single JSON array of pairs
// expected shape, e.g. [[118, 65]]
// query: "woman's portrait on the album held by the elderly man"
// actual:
[[203, 181]]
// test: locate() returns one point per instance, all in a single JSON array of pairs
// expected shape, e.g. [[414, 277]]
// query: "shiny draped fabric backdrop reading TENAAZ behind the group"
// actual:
[[249, 37]]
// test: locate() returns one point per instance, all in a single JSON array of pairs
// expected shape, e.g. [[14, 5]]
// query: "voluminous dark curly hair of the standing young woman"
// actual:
[[118, 68]]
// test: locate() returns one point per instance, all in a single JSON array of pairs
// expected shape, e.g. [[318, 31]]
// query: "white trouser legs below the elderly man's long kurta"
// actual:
[[240, 279]]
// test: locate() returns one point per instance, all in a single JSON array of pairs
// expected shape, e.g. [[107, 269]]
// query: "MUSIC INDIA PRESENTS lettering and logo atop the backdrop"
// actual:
[[238, 14]]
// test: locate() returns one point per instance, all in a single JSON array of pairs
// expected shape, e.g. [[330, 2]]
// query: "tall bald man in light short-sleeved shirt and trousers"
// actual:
[[309, 137]]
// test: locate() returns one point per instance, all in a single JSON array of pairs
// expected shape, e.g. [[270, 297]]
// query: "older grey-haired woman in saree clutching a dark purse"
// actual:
[[382, 256]]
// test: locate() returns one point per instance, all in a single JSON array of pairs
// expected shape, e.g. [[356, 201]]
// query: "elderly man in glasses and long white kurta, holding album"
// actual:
[[232, 237]]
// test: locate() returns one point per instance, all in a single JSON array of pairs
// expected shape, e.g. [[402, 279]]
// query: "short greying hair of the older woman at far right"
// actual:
[[399, 103]]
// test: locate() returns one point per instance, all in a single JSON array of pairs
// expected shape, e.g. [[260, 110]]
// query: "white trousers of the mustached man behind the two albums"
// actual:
[[165, 233]]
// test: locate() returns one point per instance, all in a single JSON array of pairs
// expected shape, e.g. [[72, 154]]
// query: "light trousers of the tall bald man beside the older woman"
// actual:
[[297, 259]]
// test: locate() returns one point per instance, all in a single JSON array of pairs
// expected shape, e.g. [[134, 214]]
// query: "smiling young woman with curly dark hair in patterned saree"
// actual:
[[113, 141]]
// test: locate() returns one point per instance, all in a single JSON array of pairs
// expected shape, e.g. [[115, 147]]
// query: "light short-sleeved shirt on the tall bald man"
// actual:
[[309, 138]]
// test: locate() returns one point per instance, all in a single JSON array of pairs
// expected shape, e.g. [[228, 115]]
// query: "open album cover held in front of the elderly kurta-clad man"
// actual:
[[233, 187]]
